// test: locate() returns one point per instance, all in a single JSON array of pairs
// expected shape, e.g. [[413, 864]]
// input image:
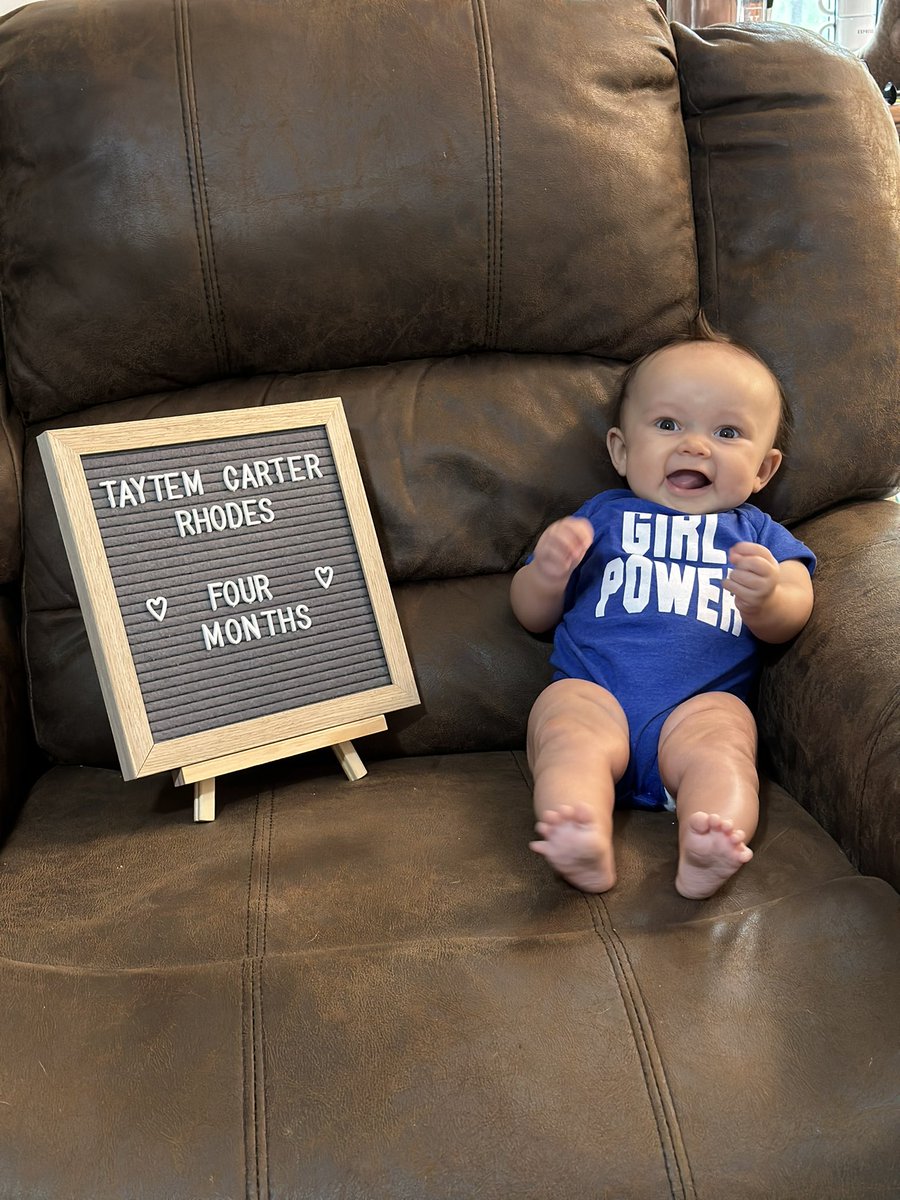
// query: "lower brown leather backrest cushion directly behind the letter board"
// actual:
[[465, 463]]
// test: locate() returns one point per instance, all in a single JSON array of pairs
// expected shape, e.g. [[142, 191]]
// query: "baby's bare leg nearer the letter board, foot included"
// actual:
[[578, 749]]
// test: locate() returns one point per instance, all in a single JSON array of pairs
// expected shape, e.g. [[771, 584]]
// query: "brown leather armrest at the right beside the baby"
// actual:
[[829, 713]]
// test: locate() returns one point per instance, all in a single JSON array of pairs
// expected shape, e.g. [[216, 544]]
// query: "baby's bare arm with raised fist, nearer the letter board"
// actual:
[[538, 590]]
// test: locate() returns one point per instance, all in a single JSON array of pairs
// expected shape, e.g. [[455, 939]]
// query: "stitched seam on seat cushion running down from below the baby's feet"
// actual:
[[674, 1154]]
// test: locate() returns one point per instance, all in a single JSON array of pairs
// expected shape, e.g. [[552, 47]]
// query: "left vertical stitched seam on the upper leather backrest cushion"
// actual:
[[197, 177]]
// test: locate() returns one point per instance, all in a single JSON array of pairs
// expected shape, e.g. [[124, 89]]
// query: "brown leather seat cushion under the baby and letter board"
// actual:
[[376, 988]]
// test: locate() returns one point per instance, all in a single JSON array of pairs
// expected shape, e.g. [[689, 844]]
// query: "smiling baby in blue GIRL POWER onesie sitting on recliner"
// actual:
[[659, 593]]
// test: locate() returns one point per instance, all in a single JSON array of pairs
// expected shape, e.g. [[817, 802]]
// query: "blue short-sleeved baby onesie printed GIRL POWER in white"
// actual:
[[647, 619]]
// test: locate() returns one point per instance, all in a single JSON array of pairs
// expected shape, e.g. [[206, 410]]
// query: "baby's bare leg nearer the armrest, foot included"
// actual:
[[707, 759]]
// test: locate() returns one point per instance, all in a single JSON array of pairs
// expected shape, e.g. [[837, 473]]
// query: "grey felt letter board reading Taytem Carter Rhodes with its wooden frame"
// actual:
[[230, 578]]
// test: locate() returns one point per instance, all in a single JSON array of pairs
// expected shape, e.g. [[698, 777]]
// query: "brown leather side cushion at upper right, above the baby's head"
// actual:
[[799, 236]]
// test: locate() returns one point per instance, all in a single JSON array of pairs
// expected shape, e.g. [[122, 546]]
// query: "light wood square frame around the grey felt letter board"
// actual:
[[140, 753]]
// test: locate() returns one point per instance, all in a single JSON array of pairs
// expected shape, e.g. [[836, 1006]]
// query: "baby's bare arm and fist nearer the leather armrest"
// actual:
[[775, 599]]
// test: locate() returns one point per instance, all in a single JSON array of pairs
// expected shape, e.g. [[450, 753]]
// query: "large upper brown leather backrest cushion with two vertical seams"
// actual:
[[238, 187]]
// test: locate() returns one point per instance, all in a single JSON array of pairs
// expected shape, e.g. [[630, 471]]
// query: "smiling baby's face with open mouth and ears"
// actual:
[[698, 429]]
